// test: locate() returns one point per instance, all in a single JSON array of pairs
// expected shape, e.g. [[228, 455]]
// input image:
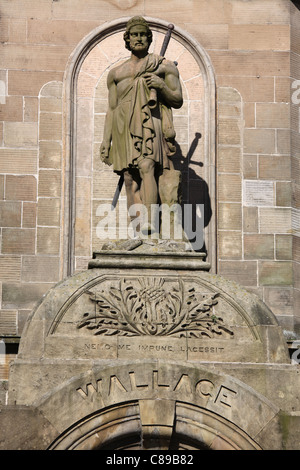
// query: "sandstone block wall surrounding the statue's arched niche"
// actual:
[[253, 50]]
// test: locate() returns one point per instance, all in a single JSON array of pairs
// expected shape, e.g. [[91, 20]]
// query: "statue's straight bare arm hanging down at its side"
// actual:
[[112, 104]]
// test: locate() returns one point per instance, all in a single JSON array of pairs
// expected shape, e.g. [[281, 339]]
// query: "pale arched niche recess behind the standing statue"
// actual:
[[87, 181]]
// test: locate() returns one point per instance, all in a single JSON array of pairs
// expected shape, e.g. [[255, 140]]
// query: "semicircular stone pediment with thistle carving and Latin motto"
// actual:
[[115, 313]]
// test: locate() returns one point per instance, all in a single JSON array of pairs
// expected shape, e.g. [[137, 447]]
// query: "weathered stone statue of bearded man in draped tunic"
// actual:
[[139, 140]]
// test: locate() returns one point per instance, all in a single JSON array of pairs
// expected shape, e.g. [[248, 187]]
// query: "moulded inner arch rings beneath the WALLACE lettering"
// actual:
[[121, 427]]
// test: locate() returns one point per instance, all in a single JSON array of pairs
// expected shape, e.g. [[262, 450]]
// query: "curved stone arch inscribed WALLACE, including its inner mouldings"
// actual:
[[120, 408]]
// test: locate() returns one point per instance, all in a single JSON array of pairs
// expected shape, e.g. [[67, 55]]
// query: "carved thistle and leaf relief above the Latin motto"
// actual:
[[153, 306]]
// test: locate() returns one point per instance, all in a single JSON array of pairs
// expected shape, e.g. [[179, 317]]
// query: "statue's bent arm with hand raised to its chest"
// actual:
[[169, 87]]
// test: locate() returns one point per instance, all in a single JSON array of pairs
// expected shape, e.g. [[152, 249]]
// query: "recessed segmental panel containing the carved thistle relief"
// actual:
[[149, 305]]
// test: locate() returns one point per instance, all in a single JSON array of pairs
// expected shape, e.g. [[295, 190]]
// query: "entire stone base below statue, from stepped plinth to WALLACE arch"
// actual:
[[144, 328]]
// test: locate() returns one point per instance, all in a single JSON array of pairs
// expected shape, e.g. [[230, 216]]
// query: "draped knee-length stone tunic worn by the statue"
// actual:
[[140, 132]]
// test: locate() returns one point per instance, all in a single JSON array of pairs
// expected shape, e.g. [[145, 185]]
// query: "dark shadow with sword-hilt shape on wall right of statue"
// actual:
[[195, 190]]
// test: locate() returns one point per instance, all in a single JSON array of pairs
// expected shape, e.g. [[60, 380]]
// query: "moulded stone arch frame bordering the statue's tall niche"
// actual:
[[70, 95]]
